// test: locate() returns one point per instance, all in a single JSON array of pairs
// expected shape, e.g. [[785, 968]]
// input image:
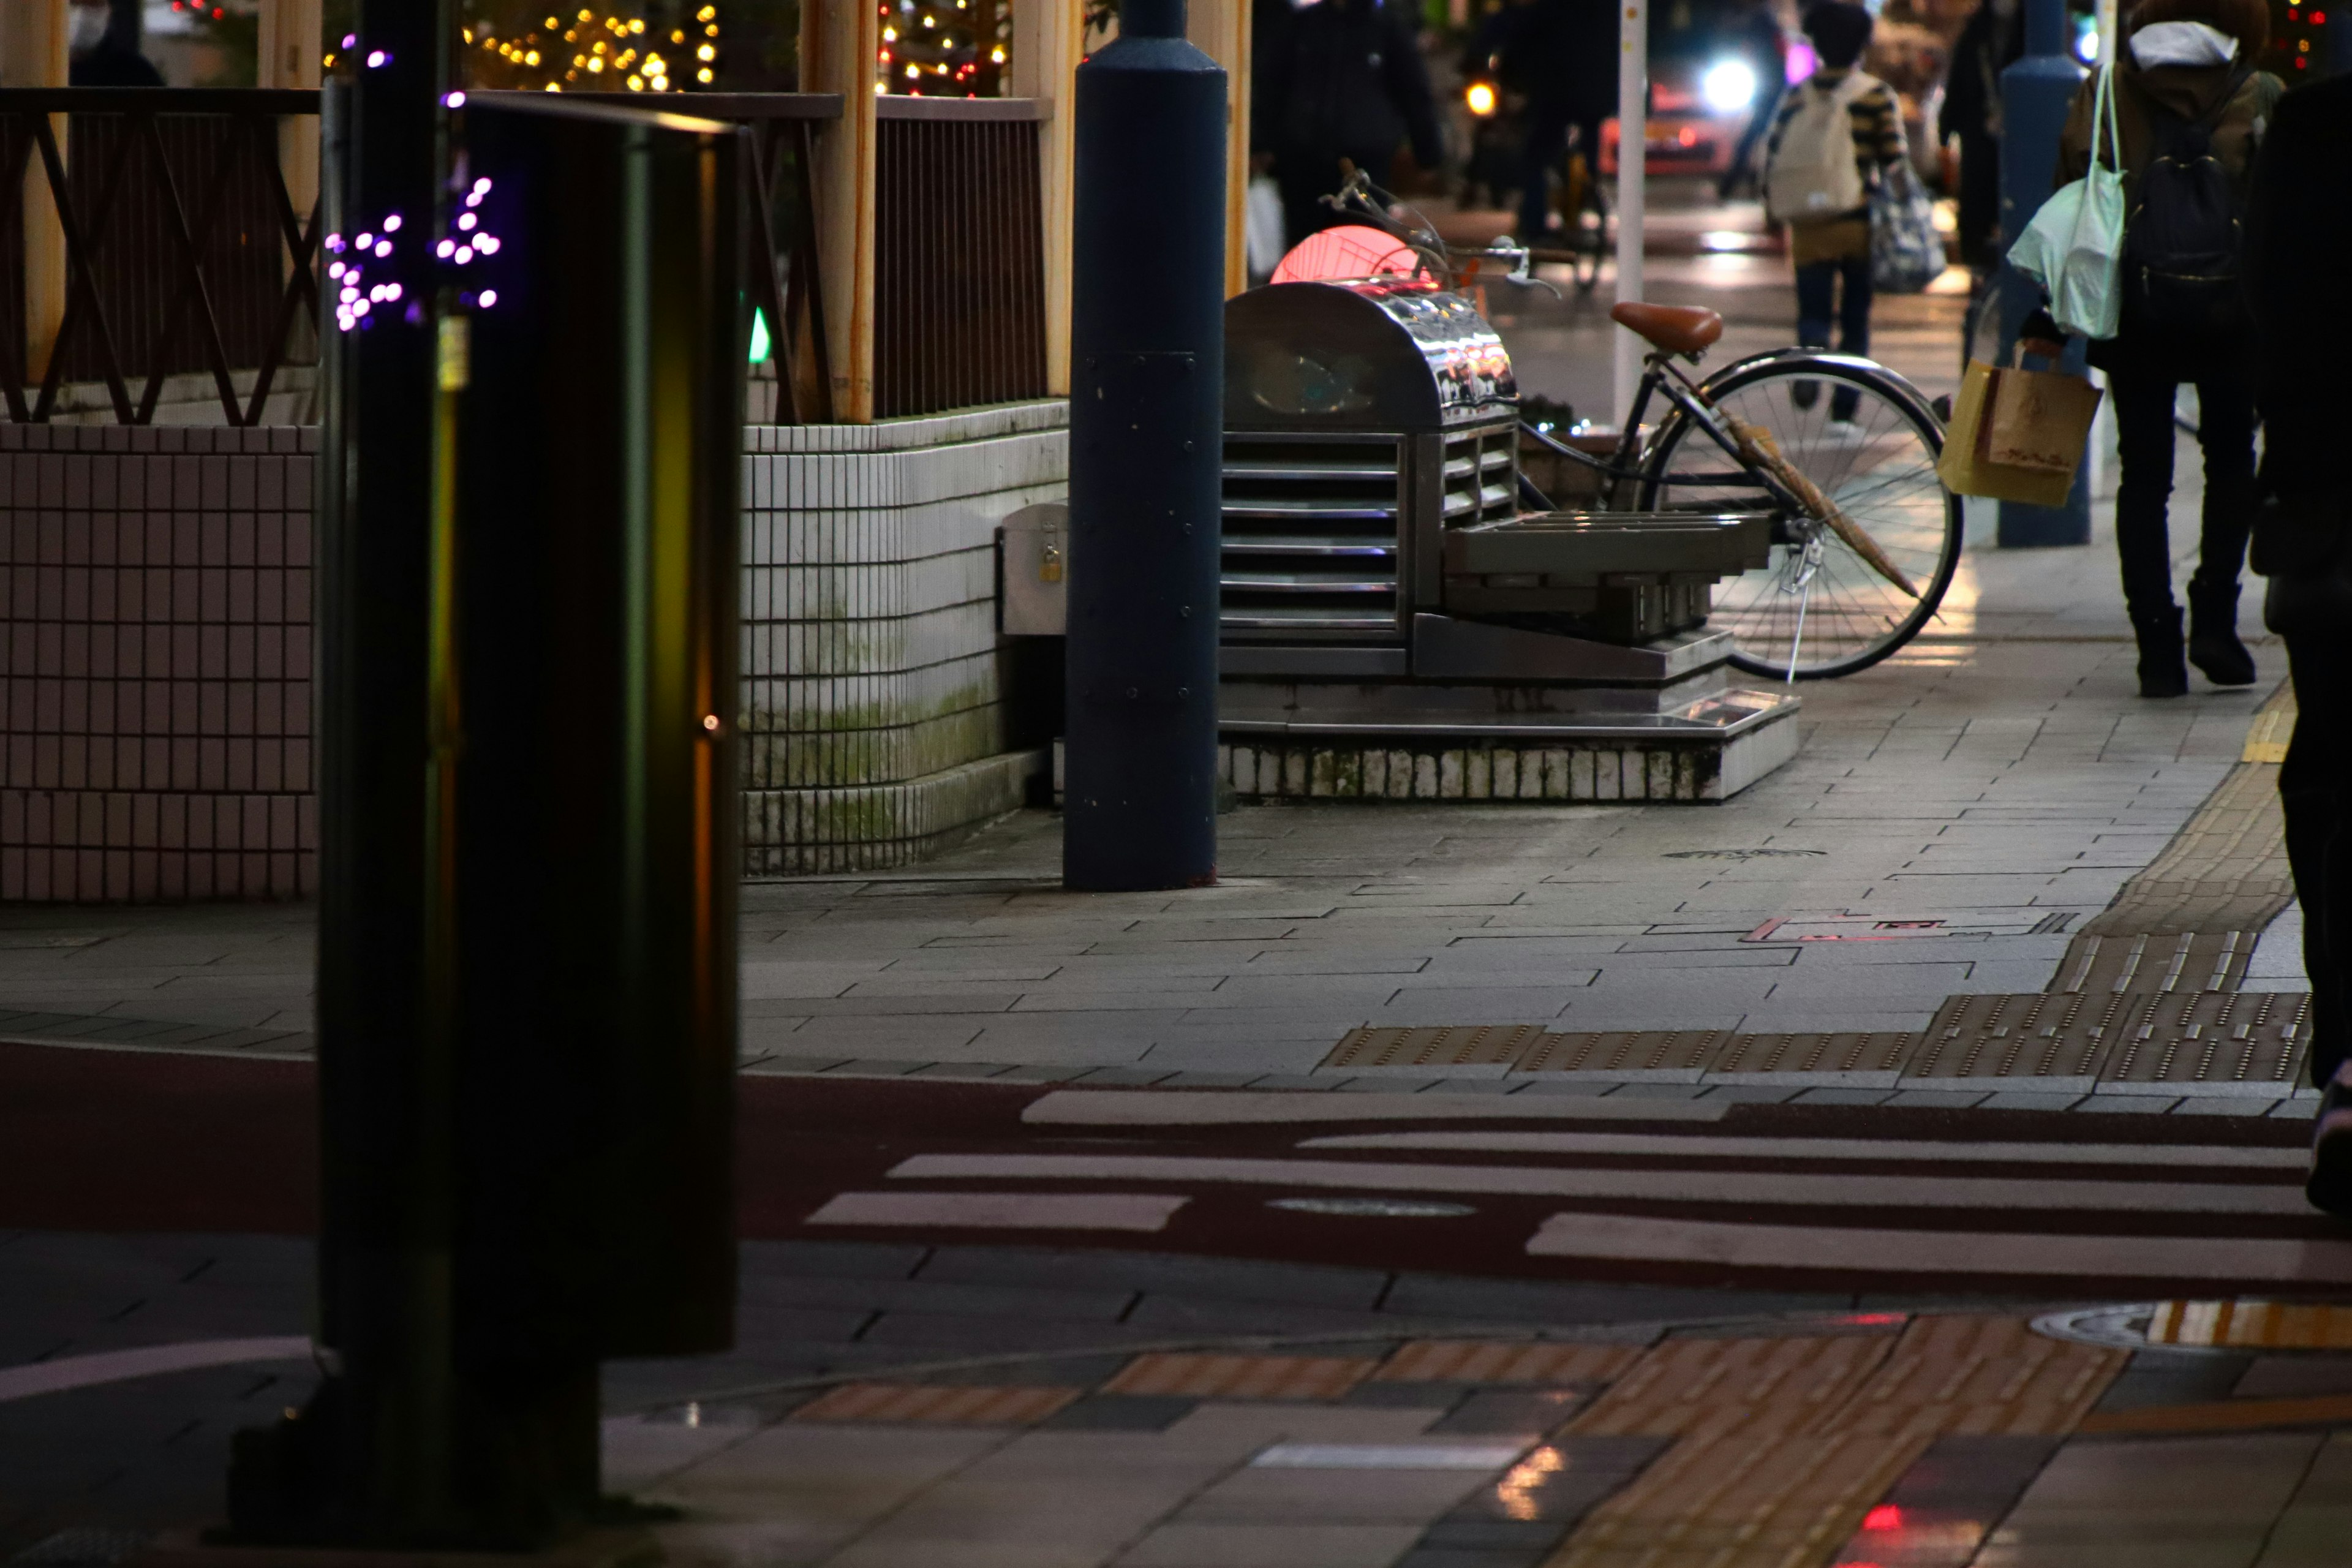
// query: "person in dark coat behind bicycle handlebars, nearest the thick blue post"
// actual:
[[1339, 81]]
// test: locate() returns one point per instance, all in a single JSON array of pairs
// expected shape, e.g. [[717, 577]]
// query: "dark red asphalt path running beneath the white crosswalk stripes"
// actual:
[[119, 1141]]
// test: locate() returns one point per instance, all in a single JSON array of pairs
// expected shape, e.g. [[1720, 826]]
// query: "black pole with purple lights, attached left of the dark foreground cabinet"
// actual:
[[385, 1054]]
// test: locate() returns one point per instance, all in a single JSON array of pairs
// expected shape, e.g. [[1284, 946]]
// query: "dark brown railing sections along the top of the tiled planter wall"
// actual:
[[185, 248]]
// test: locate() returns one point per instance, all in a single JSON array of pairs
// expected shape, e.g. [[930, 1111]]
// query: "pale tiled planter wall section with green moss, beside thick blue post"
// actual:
[[871, 711]]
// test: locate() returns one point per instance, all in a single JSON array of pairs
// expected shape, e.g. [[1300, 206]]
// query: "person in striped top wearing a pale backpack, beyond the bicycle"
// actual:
[[1836, 138]]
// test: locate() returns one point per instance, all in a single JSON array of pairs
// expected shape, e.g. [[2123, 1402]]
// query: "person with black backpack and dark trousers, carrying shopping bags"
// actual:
[[2189, 116]]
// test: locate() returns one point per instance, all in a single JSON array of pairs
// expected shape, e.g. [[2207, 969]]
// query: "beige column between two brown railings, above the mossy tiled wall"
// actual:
[[838, 41]]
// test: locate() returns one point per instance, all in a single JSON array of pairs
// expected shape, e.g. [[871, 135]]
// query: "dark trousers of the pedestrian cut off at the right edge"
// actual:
[[2316, 791]]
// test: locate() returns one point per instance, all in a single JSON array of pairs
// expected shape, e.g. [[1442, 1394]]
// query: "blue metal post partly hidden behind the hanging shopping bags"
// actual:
[[2036, 100]]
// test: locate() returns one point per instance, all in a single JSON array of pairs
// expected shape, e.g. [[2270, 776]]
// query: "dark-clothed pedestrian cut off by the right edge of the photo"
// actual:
[[2299, 229]]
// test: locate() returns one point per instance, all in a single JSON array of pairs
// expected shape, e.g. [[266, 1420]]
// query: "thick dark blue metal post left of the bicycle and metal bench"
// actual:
[[1147, 410]]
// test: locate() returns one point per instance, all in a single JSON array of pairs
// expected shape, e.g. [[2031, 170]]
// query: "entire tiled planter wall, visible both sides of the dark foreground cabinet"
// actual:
[[156, 671]]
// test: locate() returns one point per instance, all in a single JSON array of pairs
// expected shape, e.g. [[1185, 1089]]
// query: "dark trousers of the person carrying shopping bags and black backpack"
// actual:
[[2144, 429]]
